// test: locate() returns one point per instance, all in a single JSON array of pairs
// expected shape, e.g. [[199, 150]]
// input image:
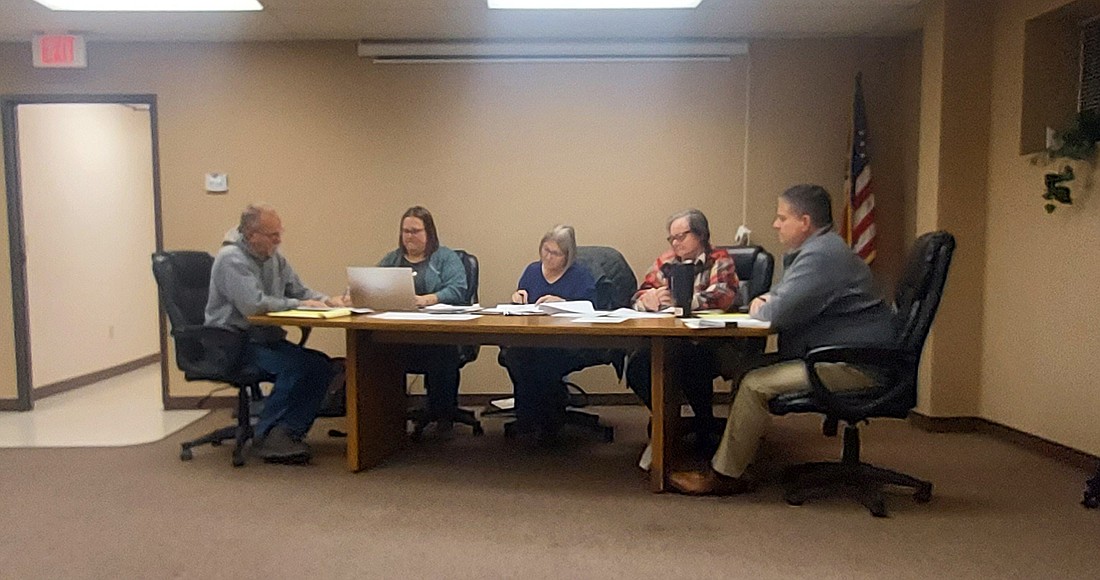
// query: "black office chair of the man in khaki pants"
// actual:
[[917, 300]]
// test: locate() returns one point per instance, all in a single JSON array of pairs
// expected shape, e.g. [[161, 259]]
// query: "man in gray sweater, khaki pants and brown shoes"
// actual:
[[826, 298]]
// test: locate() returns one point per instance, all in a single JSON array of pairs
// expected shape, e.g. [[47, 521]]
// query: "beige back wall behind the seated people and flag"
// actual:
[[499, 152]]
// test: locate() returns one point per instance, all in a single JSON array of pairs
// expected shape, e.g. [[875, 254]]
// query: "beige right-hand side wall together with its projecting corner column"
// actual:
[[1014, 342]]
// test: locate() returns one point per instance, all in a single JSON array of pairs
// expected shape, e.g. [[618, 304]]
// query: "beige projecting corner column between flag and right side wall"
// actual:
[[954, 156]]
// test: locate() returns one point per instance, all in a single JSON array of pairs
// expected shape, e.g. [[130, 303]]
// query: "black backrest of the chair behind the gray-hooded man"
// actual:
[[183, 279]]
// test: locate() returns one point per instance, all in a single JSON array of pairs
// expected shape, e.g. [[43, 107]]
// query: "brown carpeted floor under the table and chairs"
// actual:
[[492, 508]]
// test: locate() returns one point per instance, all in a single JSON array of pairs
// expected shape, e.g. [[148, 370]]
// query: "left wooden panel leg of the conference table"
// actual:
[[376, 401]]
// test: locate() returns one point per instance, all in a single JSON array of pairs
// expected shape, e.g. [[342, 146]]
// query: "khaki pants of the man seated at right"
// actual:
[[750, 417]]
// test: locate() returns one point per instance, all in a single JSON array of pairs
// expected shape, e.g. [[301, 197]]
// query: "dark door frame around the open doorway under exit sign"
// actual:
[[16, 231]]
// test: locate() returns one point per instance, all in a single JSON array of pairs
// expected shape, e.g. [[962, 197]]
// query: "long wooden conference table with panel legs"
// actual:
[[377, 406]]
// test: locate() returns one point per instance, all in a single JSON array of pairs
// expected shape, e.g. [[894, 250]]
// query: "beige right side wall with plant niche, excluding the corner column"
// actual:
[[1041, 315]]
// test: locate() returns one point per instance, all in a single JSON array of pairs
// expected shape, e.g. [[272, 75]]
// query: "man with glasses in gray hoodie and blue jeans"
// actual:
[[249, 278]]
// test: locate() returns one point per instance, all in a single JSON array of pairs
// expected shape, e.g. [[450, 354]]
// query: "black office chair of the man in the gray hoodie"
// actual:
[[206, 354]]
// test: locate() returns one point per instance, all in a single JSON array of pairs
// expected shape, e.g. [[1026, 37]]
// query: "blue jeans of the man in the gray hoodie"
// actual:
[[302, 378]]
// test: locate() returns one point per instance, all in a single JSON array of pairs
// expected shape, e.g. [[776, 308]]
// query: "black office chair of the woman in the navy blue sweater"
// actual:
[[615, 287]]
